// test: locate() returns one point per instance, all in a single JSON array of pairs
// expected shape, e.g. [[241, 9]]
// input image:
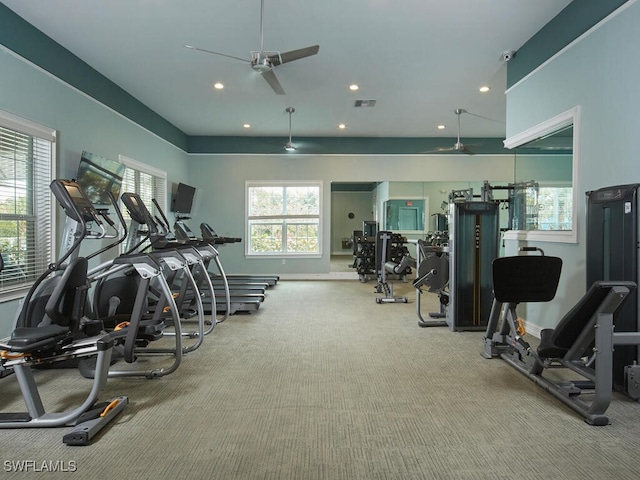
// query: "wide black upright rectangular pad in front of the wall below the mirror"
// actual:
[[526, 278]]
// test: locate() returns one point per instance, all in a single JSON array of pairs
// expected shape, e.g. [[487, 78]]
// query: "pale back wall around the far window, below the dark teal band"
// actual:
[[220, 183]]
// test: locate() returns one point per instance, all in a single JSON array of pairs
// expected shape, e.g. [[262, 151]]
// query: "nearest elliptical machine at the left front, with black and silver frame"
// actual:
[[51, 327]]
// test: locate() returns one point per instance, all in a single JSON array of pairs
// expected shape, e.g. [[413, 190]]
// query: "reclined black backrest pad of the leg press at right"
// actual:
[[576, 319]]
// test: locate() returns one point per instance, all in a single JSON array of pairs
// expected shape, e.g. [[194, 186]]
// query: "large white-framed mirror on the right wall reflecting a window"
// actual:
[[545, 186]]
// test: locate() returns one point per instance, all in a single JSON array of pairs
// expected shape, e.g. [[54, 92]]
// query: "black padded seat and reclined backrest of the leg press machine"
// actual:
[[555, 343]]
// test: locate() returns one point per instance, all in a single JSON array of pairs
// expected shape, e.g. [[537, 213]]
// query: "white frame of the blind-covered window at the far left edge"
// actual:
[[44, 209]]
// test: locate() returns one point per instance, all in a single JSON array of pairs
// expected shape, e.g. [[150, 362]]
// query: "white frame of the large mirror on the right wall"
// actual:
[[570, 117]]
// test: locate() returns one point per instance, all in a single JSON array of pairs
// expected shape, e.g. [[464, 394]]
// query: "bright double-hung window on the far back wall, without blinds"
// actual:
[[284, 219]]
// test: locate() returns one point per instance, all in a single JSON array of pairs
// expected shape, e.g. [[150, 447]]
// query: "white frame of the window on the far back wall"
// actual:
[[285, 254]]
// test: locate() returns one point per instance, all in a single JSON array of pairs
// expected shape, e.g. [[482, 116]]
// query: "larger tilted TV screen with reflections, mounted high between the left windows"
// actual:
[[98, 176]]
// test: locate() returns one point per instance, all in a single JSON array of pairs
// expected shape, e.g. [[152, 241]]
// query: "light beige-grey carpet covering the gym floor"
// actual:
[[323, 383]]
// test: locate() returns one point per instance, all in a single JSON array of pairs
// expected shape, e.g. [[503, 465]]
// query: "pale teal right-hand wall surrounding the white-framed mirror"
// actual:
[[599, 73]]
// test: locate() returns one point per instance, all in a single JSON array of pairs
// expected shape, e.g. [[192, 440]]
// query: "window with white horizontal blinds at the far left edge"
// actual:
[[26, 205]]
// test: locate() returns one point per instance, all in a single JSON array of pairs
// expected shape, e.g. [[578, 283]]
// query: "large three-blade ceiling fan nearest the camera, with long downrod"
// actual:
[[263, 61]]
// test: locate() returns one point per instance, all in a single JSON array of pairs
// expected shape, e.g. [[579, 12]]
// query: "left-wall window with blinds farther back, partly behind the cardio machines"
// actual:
[[146, 181]]
